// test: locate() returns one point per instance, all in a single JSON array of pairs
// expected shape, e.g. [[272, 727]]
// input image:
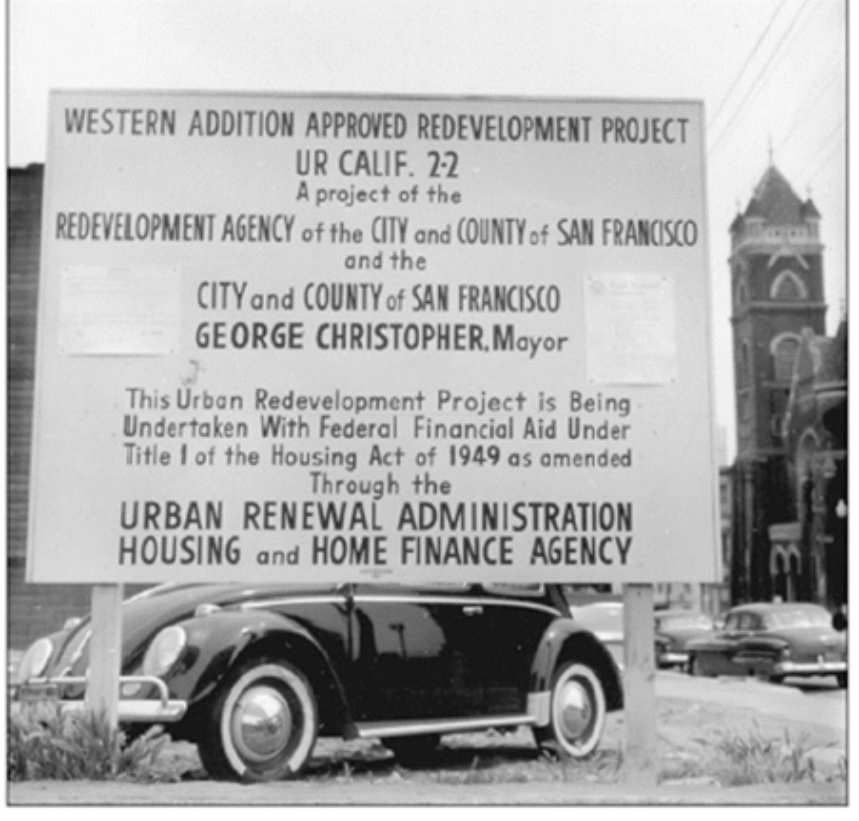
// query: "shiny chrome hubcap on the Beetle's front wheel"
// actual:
[[262, 723]]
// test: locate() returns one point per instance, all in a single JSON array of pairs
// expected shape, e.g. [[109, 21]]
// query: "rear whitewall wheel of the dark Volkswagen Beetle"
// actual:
[[577, 713]]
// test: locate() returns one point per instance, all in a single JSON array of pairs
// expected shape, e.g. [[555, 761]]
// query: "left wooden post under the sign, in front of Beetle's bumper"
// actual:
[[105, 654]]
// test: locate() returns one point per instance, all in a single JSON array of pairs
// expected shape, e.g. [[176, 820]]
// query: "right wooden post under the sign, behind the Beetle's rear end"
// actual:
[[640, 764]]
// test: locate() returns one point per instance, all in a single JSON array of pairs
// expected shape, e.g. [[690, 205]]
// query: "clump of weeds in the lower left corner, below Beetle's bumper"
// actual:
[[45, 744]]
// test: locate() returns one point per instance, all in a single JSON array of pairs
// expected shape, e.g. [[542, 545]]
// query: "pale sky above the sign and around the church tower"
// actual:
[[771, 74]]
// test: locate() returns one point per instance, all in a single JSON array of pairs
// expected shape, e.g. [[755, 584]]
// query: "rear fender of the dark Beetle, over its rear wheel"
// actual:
[[564, 638]]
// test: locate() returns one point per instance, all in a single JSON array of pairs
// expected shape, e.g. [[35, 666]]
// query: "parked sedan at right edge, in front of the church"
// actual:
[[774, 641]]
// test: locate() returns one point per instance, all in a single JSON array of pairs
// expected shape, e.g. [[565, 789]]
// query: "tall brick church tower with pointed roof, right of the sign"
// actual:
[[776, 292]]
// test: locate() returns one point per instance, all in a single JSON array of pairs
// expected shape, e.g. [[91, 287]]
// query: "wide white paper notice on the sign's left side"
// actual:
[[119, 311]]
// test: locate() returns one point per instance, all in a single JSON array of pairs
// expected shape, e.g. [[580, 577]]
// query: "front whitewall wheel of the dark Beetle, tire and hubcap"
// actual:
[[263, 724]]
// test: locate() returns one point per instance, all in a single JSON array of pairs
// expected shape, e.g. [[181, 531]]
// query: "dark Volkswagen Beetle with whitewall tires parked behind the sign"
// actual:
[[253, 675]]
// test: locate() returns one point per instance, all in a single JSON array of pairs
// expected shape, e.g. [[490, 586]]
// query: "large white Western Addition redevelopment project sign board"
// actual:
[[343, 338]]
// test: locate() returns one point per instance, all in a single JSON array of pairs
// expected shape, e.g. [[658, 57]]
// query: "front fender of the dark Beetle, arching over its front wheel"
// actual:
[[218, 640]]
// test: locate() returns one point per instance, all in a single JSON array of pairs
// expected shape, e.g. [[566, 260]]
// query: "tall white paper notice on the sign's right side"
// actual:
[[630, 327]]
